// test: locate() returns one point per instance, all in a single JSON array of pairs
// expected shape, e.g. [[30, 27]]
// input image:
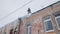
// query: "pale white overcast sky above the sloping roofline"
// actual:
[[16, 6]]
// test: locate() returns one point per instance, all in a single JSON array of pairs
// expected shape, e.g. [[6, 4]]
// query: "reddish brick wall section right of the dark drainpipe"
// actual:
[[37, 20]]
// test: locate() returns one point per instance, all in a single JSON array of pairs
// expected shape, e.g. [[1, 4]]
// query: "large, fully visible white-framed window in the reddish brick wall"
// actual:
[[48, 24]]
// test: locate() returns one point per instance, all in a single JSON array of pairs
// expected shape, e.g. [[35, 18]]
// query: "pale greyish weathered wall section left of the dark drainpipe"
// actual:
[[8, 27]]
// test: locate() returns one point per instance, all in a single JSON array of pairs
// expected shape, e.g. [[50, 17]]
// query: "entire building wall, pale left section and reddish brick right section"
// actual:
[[35, 22]]
